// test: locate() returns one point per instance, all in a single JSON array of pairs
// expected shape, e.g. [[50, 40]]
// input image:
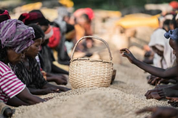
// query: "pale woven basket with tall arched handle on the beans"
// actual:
[[85, 72]]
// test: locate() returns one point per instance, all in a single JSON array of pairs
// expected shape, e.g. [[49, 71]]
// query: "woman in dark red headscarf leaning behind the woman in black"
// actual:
[[46, 57]]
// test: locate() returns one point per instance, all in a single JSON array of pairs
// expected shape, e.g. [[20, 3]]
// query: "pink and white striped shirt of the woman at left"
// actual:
[[10, 85]]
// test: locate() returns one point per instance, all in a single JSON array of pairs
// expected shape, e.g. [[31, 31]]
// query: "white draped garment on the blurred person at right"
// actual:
[[163, 57]]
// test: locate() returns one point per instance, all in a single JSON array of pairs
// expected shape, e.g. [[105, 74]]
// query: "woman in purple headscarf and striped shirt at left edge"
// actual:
[[15, 38]]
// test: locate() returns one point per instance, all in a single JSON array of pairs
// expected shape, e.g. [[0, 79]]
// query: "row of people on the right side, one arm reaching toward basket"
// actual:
[[163, 55]]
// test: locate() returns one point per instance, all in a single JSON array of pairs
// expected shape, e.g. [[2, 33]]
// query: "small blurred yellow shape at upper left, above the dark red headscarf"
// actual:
[[31, 6]]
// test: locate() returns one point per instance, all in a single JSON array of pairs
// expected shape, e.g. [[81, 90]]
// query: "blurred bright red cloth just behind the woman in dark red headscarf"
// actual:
[[54, 40]]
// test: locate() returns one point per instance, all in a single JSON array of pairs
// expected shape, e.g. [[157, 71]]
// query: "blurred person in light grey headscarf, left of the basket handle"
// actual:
[[61, 23]]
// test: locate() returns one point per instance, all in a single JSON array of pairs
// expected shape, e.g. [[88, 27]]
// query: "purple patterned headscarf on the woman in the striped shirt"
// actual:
[[16, 35]]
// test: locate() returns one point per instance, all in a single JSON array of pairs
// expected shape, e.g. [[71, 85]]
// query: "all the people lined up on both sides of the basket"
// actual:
[[27, 54]]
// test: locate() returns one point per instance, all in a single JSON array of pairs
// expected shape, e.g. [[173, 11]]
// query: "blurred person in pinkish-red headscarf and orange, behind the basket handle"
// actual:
[[83, 18]]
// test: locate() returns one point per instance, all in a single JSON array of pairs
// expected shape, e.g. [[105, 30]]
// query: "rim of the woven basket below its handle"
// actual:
[[91, 60]]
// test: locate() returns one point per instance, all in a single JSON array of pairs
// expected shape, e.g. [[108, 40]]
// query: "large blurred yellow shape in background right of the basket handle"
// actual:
[[135, 20]]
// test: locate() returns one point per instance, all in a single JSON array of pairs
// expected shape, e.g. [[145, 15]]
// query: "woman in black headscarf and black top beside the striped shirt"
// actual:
[[28, 70]]
